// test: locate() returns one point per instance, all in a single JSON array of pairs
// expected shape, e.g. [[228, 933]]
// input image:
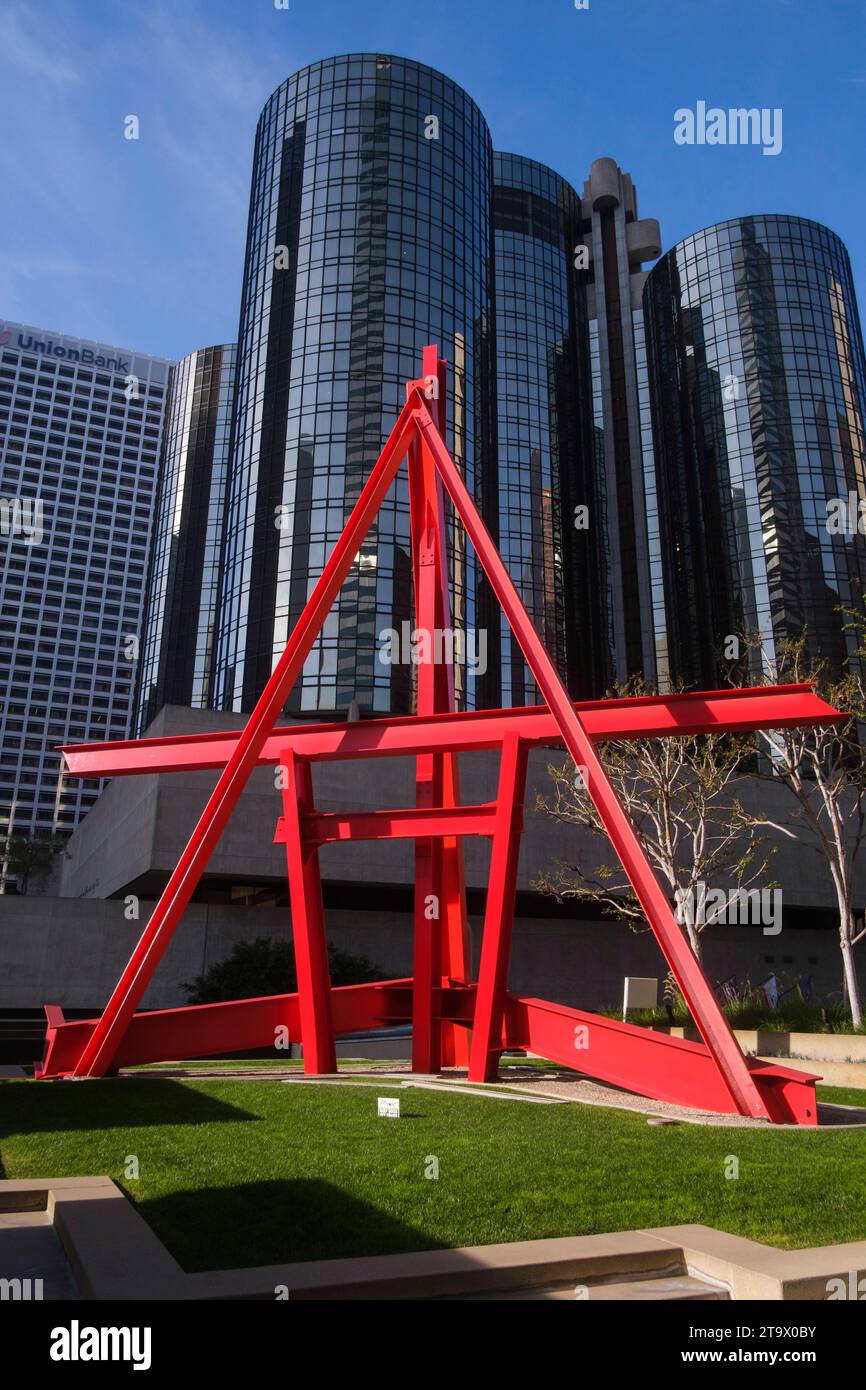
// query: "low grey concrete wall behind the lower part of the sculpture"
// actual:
[[72, 953]]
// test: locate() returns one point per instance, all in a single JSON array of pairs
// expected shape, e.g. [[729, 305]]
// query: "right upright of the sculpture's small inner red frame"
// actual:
[[500, 915]]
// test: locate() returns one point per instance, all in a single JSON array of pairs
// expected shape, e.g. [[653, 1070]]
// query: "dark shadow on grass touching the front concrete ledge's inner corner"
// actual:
[[276, 1223]]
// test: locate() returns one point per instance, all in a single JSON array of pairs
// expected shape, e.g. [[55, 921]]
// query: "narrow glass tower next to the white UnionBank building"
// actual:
[[180, 622]]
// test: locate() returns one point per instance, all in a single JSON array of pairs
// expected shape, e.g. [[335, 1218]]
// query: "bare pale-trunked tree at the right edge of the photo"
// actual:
[[825, 769]]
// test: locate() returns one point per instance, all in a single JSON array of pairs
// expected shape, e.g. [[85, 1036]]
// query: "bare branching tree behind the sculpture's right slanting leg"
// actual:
[[680, 797]]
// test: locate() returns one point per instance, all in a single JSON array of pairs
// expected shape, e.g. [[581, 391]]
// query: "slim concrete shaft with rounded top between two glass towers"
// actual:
[[619, 244]]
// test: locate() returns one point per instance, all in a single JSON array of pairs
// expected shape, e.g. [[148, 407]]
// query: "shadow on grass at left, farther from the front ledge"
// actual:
[[51, 1107]]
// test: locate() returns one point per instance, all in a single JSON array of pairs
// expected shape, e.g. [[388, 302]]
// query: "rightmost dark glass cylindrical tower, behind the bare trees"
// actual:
[[760, 390]]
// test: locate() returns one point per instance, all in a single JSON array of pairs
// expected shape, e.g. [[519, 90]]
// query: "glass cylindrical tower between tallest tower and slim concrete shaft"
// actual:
[[546, 459]]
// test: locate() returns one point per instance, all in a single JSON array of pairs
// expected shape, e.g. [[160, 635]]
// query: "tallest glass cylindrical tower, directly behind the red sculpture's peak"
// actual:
[[369, 237]]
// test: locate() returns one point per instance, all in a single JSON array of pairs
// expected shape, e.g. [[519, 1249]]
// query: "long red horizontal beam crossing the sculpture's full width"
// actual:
[[646, 717]]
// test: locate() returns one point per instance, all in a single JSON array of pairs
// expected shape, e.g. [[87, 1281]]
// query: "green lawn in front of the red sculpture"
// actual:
[[256, 1172]]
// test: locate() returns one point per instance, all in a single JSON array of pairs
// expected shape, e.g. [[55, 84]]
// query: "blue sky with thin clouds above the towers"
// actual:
[[141, 244]]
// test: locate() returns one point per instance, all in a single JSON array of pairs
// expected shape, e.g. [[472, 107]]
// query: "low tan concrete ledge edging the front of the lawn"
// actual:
[[115, 1256]]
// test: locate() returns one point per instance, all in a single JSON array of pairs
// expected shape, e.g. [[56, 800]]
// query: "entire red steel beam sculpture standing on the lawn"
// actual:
[[455, 1020]]
